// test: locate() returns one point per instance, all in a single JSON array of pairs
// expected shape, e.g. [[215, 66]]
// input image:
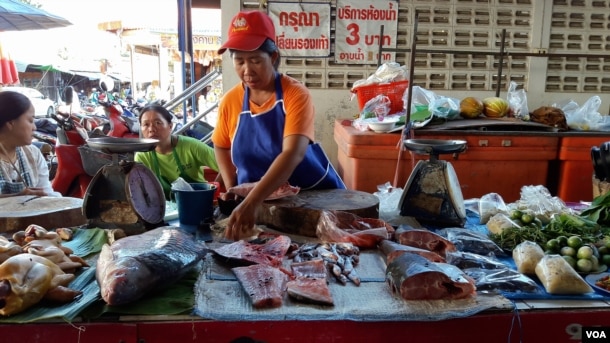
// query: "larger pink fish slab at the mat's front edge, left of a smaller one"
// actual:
[[265, 285]]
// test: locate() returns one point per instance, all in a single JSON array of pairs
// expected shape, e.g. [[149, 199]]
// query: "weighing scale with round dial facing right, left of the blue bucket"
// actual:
[[124, 194]]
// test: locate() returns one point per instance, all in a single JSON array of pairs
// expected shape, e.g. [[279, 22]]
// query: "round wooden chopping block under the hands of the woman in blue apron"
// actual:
[[299, 214]]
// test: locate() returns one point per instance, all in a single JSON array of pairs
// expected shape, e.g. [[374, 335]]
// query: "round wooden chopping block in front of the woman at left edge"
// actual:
[[17, 212]]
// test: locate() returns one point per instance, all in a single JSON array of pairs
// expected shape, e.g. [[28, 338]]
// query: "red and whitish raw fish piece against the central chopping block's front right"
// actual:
[[341, 226]]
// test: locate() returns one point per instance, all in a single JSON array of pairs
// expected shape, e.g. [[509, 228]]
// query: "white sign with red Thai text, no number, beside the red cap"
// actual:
[[301, 29]]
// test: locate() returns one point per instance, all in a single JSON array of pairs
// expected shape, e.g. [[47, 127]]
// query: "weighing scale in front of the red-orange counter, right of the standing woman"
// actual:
[[432, 194]]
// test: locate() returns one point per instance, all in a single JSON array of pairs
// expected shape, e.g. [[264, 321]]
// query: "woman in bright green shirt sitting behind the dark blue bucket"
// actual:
[[175, 156]]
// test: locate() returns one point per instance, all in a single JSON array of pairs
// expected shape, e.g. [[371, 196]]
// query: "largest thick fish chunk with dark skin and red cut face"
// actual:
[[413, 277]]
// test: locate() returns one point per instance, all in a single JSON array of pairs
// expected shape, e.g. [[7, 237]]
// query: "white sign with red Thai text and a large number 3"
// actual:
[[358, 27]]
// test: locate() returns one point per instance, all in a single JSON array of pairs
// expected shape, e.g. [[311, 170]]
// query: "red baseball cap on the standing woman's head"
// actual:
[[248, 31]]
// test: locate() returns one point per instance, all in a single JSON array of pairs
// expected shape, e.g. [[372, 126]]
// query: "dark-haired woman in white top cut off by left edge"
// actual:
[[23, 168]]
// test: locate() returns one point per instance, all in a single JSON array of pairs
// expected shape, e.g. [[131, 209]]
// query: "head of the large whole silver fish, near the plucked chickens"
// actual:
[[125, 281]]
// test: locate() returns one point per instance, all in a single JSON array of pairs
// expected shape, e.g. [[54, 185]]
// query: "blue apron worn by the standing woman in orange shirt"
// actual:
[[258, 141]]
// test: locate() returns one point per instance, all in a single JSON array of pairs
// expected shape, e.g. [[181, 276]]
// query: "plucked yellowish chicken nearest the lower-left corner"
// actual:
[[25, 279]]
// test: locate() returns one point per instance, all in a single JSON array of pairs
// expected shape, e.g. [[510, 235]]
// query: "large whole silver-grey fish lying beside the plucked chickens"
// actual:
[[134, 265]]
